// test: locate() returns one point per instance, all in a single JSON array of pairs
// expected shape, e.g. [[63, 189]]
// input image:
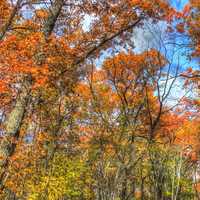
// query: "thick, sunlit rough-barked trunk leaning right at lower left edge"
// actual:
[[12, 128]]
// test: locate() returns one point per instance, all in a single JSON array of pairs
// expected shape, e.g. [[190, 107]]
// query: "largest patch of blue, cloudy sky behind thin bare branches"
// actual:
[[175, 48]]
